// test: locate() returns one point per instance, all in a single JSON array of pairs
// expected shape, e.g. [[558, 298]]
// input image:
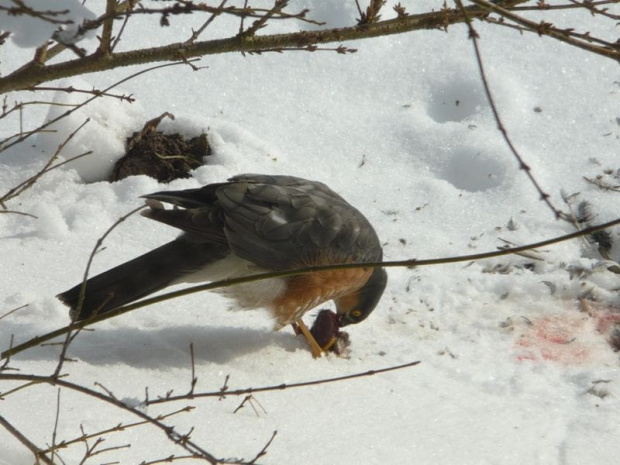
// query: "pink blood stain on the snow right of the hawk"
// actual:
[[569, 338]]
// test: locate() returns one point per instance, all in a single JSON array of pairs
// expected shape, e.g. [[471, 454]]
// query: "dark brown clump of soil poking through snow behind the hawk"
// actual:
[[161, 156]]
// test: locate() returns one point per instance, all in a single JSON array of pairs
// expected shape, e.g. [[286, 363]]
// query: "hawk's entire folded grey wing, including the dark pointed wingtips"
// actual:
[[277, 222]]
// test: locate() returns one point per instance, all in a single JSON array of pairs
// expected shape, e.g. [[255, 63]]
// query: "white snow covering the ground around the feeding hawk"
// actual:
[[512, 369]]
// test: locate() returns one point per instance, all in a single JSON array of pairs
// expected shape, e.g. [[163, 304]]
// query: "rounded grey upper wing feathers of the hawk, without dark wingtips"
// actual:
[[292, 222]]
